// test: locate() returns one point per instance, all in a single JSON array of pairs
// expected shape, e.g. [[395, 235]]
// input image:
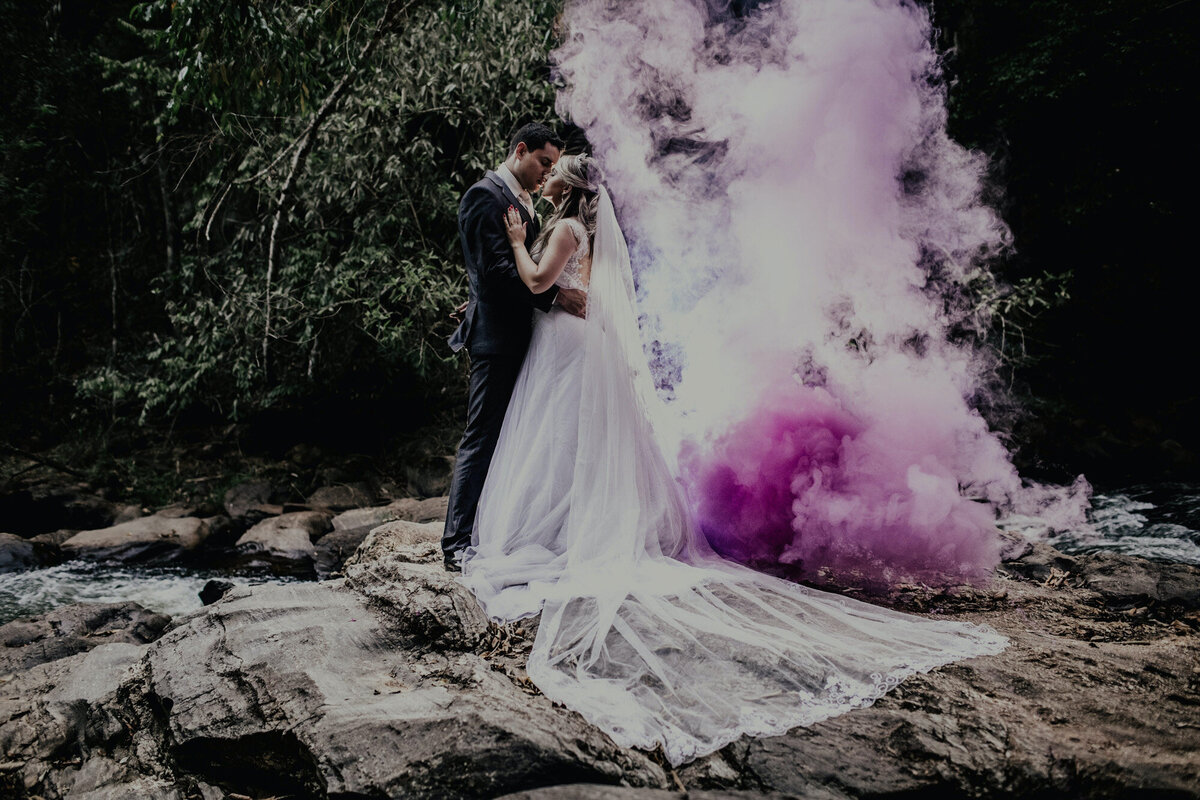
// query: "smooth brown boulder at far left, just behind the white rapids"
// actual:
[[148, 539]]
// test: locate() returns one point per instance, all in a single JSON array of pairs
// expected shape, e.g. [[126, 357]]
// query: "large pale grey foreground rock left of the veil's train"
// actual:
[[302, 689]]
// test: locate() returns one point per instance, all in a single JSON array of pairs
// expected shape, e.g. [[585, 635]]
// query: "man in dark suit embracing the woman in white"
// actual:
[[499, 317]]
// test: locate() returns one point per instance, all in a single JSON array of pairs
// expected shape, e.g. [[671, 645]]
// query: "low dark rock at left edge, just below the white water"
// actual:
[[75, 629]]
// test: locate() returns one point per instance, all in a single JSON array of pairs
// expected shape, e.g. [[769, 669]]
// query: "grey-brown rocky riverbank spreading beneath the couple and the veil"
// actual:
[[387, 682]]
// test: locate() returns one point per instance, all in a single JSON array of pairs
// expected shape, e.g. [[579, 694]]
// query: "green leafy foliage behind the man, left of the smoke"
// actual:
[[370, 263]]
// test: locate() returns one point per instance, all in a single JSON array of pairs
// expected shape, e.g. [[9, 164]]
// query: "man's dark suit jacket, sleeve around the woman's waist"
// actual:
[[499, 320]]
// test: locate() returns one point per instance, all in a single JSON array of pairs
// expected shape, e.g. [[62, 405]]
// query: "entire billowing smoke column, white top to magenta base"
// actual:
[[805, 232]]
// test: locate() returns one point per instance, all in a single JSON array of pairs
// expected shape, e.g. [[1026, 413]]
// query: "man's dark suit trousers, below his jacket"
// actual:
[[493, 378]]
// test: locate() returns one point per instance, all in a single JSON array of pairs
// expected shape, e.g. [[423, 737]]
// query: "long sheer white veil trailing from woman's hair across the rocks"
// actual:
[[649, 634]]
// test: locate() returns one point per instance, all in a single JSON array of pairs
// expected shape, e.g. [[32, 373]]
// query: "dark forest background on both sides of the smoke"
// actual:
[[227, 227]]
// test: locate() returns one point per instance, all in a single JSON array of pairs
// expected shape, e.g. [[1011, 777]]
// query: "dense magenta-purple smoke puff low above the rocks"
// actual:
[[802, 484]]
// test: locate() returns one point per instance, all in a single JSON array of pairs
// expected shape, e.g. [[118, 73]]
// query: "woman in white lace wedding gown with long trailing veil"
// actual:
[[645, 630]]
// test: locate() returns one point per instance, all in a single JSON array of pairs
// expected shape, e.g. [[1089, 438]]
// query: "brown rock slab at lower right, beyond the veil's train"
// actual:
[[1085, 702]]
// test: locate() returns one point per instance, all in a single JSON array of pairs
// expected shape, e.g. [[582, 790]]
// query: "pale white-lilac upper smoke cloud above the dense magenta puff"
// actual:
[[796, 208]]
